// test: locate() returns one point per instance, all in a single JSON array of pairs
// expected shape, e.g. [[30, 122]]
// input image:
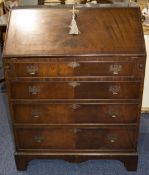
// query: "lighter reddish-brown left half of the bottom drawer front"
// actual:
[[45, 138]]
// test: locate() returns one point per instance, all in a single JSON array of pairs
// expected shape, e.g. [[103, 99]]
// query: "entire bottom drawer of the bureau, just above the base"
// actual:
[[76, 138]]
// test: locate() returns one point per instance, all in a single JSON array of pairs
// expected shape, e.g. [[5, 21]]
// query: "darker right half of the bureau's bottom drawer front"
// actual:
[[109, 138]]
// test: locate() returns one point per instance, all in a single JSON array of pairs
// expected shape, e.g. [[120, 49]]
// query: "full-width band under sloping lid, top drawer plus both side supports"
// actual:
[[76, 67]]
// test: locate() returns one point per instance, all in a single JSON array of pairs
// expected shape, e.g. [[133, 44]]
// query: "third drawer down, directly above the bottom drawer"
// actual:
[[75, 113]]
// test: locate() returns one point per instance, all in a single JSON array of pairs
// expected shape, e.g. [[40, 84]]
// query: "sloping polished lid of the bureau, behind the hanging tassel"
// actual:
[[45, 32]]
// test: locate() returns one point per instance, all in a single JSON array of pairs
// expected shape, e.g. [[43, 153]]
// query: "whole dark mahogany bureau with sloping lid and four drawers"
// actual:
[[75, 97]]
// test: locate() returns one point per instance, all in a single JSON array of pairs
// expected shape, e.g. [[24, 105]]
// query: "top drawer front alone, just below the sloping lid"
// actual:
[[74, 68]]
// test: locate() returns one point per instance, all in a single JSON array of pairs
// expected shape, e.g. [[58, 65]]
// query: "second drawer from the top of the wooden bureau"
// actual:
[[75, 90]]
